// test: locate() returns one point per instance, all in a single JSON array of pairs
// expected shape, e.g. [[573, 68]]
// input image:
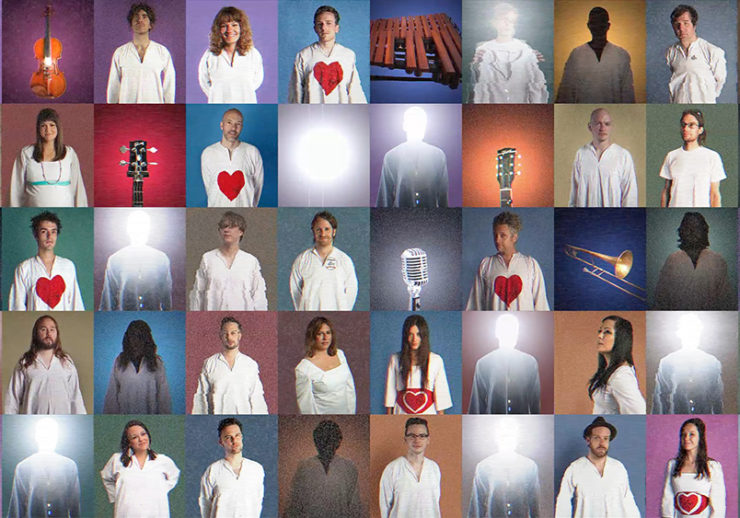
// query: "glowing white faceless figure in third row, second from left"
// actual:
[[137, 277]]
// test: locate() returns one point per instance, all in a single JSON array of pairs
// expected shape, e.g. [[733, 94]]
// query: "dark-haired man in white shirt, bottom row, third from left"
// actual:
[[232, 486]]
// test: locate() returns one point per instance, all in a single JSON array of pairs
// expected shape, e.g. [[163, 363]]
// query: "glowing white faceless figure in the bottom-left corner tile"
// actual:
[[45, 483]]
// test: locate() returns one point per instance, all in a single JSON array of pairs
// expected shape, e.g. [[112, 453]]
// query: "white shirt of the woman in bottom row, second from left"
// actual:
[[140, 492]]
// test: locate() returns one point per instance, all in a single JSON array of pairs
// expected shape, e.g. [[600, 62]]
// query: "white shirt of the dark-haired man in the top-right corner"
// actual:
[[697, 75]]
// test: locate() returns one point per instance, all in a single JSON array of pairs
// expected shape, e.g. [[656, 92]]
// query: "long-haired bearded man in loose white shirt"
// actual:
[[45, 379]]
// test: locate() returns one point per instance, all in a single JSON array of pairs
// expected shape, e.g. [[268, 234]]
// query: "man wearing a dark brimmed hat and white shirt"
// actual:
[[599, 483]]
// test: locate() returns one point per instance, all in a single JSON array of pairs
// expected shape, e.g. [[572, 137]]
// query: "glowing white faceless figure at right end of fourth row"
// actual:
[[688, 381]]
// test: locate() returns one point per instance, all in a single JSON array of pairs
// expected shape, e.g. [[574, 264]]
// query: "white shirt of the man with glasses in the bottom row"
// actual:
[[402, 495]]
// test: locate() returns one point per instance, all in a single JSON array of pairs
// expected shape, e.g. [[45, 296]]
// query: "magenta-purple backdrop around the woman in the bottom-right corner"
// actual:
[[663, 446]]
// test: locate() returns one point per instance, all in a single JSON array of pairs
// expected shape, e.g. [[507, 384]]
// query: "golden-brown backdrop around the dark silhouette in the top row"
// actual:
[[627, 31]]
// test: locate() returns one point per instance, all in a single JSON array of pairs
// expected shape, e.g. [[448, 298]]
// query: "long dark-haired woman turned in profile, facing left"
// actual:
[[613, 388]]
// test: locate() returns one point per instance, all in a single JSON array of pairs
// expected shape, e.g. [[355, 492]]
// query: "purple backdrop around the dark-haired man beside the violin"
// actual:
[[113, 31]]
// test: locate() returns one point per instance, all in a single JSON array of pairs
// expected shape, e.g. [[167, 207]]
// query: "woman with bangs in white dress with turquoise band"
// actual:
[[47, 174]]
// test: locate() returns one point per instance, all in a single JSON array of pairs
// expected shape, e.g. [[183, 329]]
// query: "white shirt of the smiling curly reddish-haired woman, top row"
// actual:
[[224, 81]]
